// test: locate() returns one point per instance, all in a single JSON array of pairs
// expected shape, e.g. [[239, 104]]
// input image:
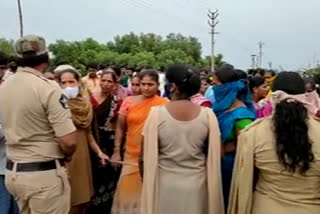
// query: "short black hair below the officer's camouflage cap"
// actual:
[[32, 60]]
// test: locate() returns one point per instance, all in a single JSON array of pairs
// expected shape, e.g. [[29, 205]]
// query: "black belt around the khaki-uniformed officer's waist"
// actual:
[[34, 166]]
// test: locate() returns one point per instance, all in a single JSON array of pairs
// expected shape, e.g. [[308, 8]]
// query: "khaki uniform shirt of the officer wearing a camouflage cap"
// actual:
[[34, 113]]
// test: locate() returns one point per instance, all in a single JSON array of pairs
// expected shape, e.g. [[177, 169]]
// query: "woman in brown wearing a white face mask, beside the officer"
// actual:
[[79, 167]]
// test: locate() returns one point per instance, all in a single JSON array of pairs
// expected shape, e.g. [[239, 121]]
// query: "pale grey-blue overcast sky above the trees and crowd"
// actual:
[[289, 28]]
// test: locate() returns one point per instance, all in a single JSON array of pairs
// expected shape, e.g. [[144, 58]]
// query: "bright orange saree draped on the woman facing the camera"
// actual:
[[128, 193]]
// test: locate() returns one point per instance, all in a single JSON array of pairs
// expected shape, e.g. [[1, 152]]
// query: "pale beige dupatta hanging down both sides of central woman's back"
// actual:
[[149, 199]]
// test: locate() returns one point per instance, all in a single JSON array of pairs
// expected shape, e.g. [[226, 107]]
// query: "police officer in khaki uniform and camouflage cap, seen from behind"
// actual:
[[40, 133]]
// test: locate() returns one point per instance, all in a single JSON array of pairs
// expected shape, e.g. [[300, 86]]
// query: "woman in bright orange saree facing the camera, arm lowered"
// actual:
[[133, 113]]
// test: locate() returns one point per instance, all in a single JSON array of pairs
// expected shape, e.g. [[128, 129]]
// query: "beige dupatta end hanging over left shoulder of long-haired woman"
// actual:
[[241, 194]]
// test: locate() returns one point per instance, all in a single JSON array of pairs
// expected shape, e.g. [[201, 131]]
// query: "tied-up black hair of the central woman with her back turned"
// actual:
[[185, 78]]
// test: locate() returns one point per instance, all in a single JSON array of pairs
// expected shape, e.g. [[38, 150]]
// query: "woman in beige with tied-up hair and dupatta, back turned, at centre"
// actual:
[[181, 141]]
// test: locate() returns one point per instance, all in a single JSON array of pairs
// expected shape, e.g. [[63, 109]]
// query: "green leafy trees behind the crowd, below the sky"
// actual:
[[132, 50]]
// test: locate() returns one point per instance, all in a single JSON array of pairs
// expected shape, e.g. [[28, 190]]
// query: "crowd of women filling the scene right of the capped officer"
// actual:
[[224, 142]]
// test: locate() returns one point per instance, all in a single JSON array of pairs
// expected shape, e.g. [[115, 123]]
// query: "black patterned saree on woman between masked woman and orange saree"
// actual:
[[105, 178]]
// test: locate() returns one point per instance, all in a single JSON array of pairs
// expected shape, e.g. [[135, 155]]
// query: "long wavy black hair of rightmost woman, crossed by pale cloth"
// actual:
[[294, 148]]
